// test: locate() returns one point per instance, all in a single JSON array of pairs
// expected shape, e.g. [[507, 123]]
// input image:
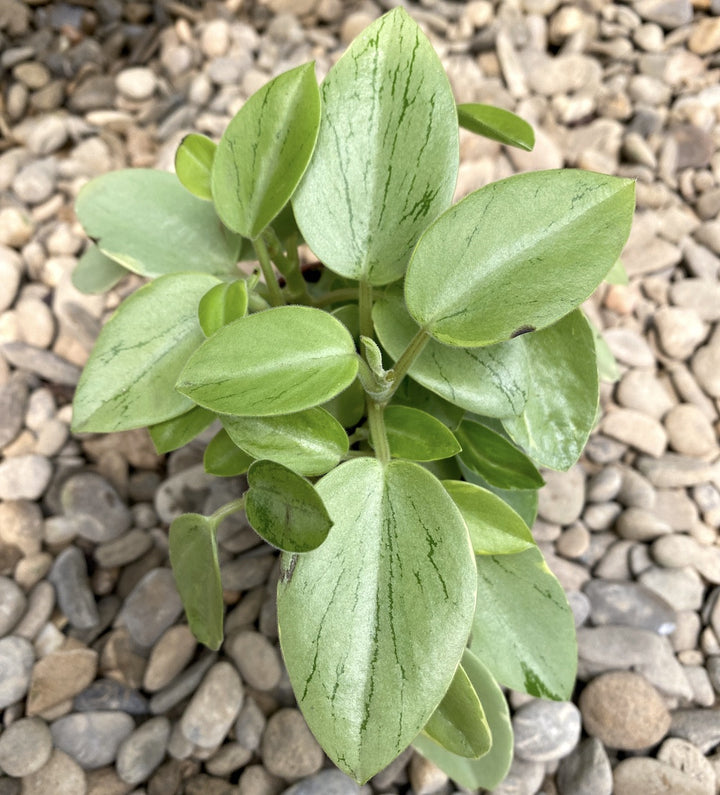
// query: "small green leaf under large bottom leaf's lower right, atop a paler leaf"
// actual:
[[459, 724]]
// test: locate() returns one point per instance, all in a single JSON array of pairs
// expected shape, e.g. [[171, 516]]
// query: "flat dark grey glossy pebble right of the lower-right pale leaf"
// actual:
[[631, 604]]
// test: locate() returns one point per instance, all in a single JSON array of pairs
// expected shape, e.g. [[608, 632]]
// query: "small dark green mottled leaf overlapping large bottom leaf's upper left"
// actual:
[[284, 509]]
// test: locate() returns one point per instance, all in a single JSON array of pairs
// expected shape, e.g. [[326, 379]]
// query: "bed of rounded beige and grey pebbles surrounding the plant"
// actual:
[[102, 688]]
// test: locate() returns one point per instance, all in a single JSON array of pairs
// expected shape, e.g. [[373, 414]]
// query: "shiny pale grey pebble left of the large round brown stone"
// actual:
[[546, 730]]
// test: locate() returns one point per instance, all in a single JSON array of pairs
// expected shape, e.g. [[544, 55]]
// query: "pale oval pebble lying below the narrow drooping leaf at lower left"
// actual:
[[214, 707]]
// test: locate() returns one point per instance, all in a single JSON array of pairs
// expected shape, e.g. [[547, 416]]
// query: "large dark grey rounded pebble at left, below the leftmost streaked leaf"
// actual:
[[89, 498]]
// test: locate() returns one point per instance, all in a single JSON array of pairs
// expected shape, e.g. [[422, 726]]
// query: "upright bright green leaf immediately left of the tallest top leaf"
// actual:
[[265, 150]]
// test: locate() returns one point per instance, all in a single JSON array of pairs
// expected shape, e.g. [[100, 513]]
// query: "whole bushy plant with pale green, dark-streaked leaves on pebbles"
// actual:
[[389, 404]]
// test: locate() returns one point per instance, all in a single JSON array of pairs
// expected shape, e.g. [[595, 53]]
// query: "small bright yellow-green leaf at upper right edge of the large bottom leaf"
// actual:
[[494, 527]]
